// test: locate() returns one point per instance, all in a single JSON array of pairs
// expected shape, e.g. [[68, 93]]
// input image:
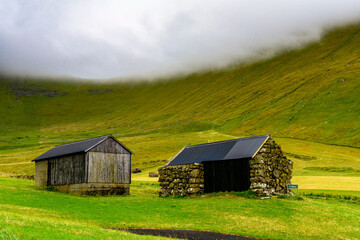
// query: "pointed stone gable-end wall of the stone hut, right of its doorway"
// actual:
[[270, 170]]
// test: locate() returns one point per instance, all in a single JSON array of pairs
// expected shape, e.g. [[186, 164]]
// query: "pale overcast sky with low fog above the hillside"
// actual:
[[156, 38]]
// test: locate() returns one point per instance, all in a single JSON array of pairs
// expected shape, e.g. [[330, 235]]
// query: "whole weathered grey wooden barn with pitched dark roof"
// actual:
[[100, 165]]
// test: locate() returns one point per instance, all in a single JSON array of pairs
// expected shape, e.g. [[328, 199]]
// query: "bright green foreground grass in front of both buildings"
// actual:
[[28, 212]]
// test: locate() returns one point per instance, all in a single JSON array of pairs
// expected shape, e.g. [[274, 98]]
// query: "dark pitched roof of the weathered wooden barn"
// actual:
[[75, 147]]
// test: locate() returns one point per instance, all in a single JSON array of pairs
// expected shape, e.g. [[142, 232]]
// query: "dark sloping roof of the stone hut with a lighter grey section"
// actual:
[[224, 150]]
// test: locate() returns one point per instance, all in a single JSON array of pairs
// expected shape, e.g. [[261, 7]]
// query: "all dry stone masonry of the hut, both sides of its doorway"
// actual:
[[270, 173]]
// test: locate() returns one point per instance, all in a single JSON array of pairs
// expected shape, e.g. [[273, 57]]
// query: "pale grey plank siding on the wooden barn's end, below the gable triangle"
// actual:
[[108, 167]]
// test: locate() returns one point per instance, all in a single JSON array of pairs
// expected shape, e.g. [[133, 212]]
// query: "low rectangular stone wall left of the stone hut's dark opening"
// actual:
[[182, 180]]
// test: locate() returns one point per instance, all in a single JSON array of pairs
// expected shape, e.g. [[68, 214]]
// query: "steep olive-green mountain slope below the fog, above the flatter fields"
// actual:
[[311, 93]]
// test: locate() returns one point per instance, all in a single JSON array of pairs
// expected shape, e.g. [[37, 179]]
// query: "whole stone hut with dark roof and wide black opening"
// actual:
[[255, 163]]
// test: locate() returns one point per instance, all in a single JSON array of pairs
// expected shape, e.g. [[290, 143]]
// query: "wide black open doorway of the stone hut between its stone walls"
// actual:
[[226, 175]]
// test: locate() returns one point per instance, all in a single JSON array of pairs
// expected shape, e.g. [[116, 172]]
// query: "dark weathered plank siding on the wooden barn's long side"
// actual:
[[66, 170]]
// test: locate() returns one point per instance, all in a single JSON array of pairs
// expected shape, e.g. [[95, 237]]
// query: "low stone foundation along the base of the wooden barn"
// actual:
[[95, 188]]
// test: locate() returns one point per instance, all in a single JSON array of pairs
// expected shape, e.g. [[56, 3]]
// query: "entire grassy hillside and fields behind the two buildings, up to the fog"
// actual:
[[310, 94]]
